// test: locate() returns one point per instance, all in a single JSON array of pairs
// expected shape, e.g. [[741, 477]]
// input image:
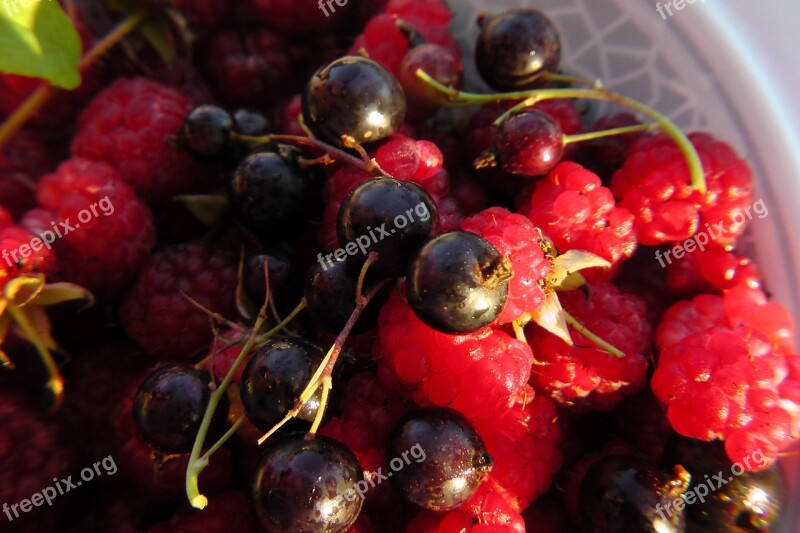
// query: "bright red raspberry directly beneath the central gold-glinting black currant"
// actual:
[[475, 374]]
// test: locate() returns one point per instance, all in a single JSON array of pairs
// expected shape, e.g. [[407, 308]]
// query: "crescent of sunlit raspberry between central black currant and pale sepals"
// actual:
[[516, 238]]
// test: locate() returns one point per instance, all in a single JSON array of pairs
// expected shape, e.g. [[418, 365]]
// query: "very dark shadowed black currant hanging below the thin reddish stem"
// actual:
[[271, 195]]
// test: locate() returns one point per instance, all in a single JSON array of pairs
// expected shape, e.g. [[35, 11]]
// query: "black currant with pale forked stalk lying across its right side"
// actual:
[[274, 378]]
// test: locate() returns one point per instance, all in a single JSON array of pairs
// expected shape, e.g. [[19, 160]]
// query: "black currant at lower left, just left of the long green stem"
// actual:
[[169, 406]]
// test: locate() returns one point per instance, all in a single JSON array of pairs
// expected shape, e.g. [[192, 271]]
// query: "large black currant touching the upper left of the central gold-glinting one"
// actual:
[[391, 217]]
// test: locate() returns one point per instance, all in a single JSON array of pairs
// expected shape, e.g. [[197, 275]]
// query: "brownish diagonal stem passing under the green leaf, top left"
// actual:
[[44, 92]]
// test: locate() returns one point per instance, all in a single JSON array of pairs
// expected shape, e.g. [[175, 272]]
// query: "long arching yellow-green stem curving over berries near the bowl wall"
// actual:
[[531, 97]]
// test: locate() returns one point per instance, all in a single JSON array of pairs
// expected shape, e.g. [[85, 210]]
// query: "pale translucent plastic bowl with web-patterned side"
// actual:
[[721, 68]]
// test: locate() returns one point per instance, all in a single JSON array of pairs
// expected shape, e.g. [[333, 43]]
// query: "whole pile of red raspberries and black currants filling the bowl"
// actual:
[[271, 261]]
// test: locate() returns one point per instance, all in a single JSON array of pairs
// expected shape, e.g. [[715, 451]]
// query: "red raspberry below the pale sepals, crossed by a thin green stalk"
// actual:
[[583, 376]]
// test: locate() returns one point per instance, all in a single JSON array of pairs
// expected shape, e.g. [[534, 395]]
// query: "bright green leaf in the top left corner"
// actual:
[[38, 39]]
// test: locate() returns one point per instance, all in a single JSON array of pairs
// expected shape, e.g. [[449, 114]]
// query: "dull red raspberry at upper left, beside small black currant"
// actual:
[[127, 126]]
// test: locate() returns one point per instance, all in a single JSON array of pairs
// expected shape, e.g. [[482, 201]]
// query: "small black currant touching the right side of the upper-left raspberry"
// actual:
[[206, 133]]
